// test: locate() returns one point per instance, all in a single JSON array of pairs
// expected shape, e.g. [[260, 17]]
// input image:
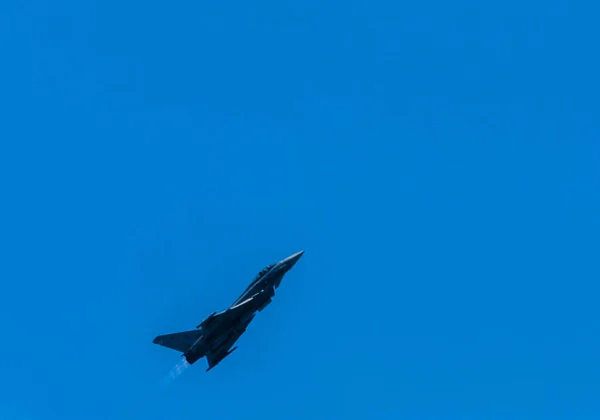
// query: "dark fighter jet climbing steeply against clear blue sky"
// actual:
[[215, 336]]
